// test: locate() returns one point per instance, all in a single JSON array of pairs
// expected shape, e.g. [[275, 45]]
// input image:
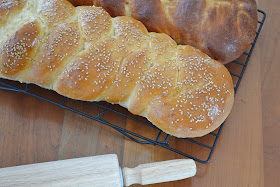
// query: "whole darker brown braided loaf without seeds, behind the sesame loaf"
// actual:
[[223, 29]]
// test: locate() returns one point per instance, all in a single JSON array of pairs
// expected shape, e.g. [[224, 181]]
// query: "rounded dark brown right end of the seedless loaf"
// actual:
[[229, 29]]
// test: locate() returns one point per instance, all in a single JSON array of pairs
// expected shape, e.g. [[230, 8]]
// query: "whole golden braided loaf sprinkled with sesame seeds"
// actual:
[[84, 54]]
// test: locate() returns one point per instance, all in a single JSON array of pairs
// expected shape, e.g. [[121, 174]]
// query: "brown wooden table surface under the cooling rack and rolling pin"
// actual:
[[247, 153]]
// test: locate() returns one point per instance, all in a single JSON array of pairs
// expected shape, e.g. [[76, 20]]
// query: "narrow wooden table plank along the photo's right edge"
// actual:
[[270, 58]]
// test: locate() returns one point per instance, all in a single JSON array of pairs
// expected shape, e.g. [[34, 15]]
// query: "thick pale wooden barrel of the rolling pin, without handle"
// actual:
[[101, 170]]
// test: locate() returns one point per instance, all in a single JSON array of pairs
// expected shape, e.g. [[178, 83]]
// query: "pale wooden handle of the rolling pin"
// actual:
[[159, 172]]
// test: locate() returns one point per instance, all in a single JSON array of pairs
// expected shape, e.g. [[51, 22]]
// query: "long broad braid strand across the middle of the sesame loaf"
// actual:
[[100, 63]]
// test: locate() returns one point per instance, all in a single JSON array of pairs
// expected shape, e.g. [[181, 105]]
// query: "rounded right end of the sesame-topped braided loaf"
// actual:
[[199, 105]]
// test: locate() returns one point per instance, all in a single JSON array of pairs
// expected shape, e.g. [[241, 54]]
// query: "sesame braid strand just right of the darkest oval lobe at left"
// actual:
[[60, 45]]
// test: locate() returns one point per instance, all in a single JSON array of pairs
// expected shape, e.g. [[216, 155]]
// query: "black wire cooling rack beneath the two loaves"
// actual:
[[237, 69]]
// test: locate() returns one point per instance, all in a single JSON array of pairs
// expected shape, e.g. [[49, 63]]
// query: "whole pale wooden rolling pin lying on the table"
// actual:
[[100, 170]]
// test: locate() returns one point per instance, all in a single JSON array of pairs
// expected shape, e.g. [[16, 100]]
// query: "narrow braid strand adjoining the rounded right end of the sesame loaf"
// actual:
[[161, 73]]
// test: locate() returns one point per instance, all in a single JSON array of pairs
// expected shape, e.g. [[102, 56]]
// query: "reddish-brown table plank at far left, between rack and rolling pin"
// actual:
[[30, 131]]
